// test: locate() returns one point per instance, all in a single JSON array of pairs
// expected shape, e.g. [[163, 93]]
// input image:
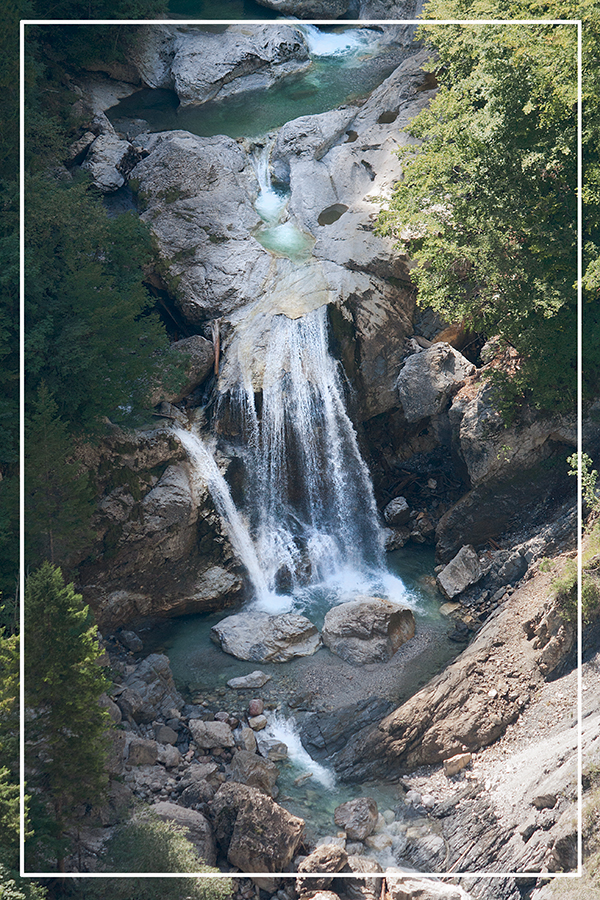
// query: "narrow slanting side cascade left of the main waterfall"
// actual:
[[206, 467]]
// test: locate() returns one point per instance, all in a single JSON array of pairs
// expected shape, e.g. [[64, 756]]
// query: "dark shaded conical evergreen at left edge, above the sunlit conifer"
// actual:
[[58, 497]]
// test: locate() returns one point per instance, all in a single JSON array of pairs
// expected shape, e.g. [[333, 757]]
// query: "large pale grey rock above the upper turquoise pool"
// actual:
[[201, 66]]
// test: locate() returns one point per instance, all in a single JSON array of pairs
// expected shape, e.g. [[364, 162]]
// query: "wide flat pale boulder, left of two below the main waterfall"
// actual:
[[264, 638]]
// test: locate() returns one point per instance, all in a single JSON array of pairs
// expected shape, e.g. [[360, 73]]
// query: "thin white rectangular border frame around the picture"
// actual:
[[452, 876]]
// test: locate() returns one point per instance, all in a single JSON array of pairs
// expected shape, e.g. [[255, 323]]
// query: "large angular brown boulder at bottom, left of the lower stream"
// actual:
[[254, 832]]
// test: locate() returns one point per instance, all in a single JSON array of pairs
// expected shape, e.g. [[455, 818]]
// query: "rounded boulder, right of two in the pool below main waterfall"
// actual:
[[367, 630]]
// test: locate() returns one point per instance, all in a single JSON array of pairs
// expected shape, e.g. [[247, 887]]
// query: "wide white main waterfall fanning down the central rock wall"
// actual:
[[310, 500]]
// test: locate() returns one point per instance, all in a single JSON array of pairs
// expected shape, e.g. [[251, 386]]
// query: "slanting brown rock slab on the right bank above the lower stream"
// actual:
[[470, 704]]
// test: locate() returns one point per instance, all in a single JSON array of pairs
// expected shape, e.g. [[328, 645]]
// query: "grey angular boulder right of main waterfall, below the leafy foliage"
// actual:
[[428, 379]]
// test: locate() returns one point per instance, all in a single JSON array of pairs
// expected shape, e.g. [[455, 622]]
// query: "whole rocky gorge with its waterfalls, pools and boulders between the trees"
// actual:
[[330, 440]]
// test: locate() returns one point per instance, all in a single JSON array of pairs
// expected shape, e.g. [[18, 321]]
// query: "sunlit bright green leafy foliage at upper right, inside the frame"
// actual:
[[487, 206]]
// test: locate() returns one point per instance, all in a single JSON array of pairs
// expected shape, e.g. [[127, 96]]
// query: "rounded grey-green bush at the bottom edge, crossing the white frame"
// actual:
[[147, 844]]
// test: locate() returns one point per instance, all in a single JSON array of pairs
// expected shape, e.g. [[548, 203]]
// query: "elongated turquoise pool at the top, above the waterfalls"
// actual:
[[328, 83]]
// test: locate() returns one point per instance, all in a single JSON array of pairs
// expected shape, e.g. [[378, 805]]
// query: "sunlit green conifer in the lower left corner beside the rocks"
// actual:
[[66, 729]]
